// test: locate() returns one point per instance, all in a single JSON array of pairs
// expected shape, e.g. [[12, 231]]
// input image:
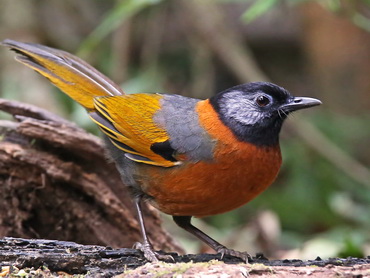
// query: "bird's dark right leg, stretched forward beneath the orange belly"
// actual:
[[185, 223]]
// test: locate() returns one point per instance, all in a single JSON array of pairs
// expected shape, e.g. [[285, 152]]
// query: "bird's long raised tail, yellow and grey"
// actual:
[[69, 73]]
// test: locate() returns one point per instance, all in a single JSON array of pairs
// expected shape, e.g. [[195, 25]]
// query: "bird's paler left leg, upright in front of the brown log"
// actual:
[[146, 247]]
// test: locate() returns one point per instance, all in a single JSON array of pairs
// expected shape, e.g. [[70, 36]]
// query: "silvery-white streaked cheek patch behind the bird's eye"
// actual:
[[241, 109]]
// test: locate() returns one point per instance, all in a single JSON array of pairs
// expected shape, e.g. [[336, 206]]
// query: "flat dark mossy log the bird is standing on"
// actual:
[[99, 261]]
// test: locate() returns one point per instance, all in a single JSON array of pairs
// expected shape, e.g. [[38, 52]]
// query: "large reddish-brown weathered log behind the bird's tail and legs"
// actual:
[[56, 183]]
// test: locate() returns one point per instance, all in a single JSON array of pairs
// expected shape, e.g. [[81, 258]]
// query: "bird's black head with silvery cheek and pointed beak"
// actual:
[[255, 111]]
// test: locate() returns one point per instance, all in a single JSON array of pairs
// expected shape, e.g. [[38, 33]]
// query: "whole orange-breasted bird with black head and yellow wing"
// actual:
[[186, 157]]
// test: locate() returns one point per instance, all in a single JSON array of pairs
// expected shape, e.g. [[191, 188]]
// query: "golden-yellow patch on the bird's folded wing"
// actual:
[[128, 121]]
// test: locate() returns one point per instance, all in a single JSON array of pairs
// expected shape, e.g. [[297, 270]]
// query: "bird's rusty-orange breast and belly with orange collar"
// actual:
[[238, 173]]
